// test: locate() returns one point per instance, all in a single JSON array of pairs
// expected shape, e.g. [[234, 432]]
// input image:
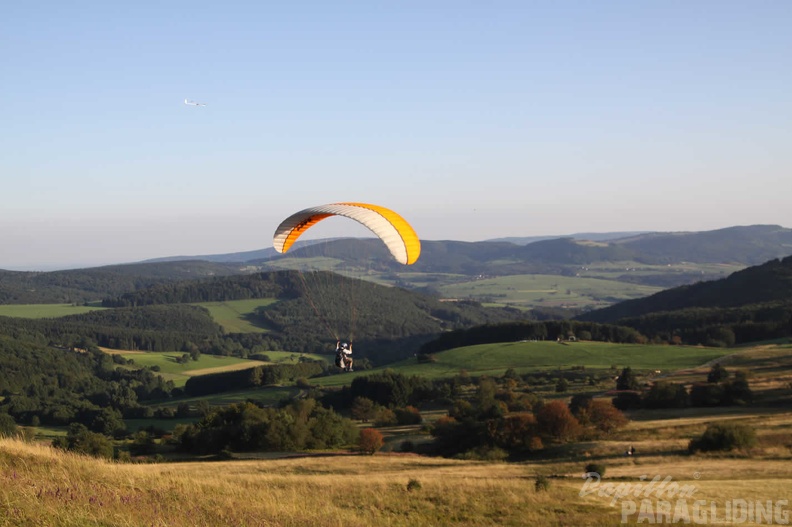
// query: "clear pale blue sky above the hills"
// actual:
[[475, 120]]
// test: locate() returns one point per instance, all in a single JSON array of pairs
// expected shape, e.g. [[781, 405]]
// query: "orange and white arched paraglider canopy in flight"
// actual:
[[398, 236]]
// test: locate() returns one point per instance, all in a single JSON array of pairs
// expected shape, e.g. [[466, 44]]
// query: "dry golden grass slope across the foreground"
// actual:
[[42, 487]]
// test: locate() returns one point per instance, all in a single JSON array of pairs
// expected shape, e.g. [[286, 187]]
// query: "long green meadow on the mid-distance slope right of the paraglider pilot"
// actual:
[[526, 357]]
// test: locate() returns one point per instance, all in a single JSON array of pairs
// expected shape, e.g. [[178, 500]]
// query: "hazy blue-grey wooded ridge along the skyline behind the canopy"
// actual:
[[748, 245]]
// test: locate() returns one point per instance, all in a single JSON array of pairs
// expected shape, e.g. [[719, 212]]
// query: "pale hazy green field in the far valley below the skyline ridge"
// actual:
[[547, 290]]
